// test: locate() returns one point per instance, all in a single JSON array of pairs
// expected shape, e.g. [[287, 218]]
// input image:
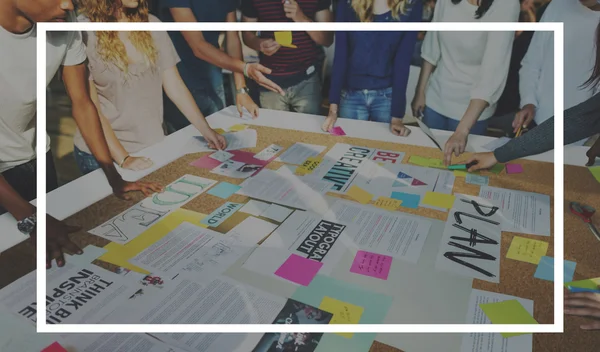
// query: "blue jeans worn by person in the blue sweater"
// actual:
[[367, 105]]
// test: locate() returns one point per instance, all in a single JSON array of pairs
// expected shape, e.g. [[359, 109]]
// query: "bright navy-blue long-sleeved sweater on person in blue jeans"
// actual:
[[374, 60]]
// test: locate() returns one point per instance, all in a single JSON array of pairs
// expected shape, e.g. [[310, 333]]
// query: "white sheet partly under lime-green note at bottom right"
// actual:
[[480, 342]]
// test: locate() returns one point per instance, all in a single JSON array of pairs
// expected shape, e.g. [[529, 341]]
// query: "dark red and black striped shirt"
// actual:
[[288, 62]]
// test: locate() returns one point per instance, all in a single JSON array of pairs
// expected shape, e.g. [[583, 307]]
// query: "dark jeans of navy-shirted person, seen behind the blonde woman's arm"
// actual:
[[210, 98]]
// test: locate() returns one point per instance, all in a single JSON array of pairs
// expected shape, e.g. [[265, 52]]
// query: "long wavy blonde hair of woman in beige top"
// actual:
[[110, 47]]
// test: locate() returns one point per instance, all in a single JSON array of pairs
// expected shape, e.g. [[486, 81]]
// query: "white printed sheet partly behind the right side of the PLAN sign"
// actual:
[[523, 212]]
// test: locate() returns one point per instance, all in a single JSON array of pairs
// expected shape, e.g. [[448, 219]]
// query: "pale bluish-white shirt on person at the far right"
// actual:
[[536, 77]]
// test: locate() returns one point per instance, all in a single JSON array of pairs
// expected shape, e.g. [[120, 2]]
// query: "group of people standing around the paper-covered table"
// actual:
[[128, 89]]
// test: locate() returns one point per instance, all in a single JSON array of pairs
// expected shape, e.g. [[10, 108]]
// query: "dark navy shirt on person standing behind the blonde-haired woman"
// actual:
[[194, 71]]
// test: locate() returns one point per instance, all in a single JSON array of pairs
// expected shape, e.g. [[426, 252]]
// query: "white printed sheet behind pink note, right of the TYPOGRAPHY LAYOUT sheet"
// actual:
[[401, 236]]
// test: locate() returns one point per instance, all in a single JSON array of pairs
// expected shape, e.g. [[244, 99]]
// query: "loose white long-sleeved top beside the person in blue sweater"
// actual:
[[469, 65]]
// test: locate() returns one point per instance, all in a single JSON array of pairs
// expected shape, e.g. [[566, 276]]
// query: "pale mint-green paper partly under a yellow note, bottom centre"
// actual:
[[375, 308]]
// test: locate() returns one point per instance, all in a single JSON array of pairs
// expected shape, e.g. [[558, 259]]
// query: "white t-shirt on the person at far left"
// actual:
[[18, 87]]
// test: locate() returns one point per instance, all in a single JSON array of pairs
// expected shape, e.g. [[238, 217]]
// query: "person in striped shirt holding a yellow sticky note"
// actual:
[[297, 65]]
